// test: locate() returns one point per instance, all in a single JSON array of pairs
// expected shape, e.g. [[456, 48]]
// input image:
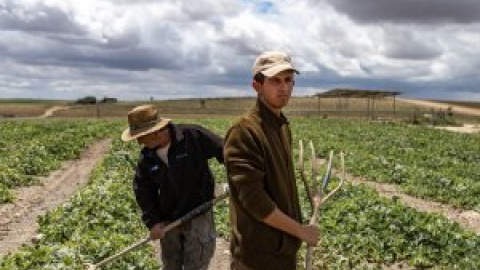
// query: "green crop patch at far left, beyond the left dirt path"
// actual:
[[29, 149]]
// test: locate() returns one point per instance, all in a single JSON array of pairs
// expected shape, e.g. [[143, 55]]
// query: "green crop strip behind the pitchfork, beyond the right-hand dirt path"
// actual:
[[438, 165]]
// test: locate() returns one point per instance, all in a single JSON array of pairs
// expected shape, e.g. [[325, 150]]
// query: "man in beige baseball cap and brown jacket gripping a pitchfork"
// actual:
[[265, 215]]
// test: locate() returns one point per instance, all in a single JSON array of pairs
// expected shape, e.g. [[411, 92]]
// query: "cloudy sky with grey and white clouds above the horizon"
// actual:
[[137, 49]]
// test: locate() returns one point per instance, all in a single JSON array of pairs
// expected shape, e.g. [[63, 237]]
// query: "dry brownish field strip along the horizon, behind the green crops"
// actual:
[[380, 108]]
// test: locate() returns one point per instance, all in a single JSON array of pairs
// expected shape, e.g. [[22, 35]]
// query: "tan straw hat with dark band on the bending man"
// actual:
[[143, 120]]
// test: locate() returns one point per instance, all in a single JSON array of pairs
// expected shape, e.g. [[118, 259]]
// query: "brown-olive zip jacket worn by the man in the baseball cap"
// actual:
[[258, 158]]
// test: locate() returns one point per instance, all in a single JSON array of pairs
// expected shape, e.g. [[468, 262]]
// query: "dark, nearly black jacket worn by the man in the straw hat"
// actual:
[[165, 193]]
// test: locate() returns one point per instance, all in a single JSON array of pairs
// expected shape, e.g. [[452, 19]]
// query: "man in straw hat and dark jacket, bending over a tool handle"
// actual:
[[172, 178]]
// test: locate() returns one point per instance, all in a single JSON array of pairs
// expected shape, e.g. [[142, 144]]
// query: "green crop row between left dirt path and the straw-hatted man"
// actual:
[[100, 219]]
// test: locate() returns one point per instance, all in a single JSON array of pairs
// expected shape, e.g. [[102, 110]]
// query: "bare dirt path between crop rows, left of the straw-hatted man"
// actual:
[[18, 219]]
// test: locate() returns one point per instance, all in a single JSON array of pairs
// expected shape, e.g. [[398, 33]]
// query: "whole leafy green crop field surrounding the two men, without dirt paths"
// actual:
[[359, 228]]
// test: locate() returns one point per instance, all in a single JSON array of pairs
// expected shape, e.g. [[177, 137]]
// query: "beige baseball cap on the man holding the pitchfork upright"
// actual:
[[272, 63]]
